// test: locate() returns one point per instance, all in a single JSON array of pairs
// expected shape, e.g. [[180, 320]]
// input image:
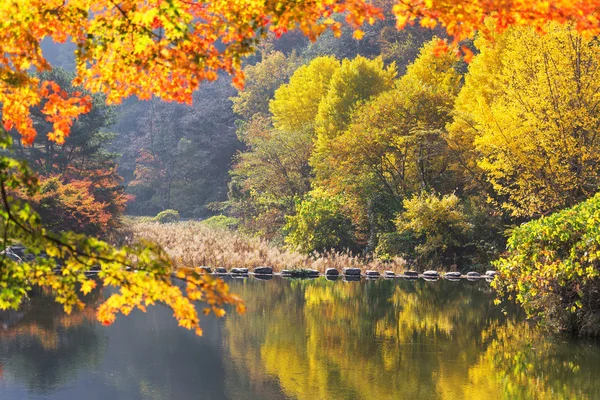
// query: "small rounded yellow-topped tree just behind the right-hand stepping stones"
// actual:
[[439, 226]]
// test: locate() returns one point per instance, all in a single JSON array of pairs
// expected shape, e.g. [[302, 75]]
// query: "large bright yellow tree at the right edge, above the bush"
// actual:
[[529, 108]]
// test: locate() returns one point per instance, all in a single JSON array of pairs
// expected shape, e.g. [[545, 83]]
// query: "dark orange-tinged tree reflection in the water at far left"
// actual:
[[46, 348]]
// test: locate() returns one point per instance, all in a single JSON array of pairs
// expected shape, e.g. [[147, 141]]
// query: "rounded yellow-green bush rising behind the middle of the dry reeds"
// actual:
[[319, 224]]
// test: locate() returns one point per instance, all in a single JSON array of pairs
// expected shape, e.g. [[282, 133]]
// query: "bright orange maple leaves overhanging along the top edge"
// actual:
[[166, 48]]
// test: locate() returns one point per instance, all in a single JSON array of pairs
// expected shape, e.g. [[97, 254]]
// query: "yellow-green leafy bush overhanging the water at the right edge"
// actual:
[[552, 267]]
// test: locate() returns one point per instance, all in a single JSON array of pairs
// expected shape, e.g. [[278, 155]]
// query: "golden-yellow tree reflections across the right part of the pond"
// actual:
[[396, 339]]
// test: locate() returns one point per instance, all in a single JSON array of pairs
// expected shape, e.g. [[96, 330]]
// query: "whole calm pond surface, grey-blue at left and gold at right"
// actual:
[[303, 340]]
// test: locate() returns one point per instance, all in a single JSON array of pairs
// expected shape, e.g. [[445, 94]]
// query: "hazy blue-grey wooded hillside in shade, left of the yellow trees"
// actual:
[[177, 156]]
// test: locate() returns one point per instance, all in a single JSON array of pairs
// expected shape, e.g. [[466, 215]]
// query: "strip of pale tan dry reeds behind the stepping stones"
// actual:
[[193, 244]]
